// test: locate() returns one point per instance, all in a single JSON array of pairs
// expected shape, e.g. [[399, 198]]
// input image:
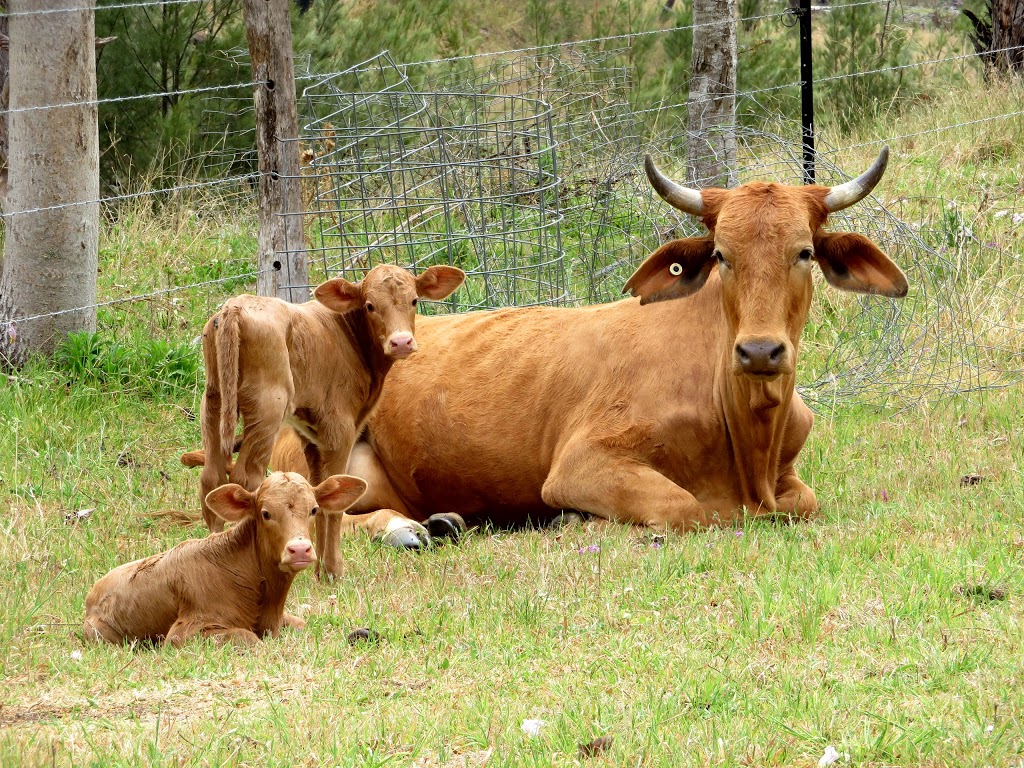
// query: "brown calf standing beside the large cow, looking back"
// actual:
[[320, 366]]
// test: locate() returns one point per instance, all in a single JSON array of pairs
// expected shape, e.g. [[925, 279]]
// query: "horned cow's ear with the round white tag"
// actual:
[[678, 269]]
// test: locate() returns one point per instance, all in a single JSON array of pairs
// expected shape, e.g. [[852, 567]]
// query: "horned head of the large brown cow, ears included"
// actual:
[[764, 240]]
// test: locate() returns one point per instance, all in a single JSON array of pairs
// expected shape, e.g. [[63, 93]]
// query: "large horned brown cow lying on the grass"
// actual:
[[670, 414]]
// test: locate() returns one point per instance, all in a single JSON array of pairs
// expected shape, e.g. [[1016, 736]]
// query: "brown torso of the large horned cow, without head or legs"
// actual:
[[474, 422]]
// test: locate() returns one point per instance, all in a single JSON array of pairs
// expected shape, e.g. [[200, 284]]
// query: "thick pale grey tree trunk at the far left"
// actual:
[[49, 284]]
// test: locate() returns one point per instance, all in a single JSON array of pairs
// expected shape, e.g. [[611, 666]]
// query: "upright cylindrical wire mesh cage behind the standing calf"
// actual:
[[419, 179]]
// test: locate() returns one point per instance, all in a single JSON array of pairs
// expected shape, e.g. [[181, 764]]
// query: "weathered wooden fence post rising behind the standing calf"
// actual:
[[282, 253]]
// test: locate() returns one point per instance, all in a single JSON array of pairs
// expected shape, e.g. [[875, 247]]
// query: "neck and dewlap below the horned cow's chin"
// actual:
[[756, 416]]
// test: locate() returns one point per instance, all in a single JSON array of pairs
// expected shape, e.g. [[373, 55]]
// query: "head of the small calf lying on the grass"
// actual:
[[283, 510]]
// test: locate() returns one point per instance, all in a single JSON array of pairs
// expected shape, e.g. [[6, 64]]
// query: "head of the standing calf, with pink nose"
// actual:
[[389, 295]]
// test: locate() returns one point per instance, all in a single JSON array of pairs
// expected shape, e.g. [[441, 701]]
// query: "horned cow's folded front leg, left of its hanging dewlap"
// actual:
[[620, 488]]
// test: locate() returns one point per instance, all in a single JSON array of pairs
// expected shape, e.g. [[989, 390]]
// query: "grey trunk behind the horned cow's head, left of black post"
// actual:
[[711, 138]]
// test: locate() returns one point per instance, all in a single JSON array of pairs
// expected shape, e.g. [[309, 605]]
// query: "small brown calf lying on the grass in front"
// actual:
[[230, 586]]
